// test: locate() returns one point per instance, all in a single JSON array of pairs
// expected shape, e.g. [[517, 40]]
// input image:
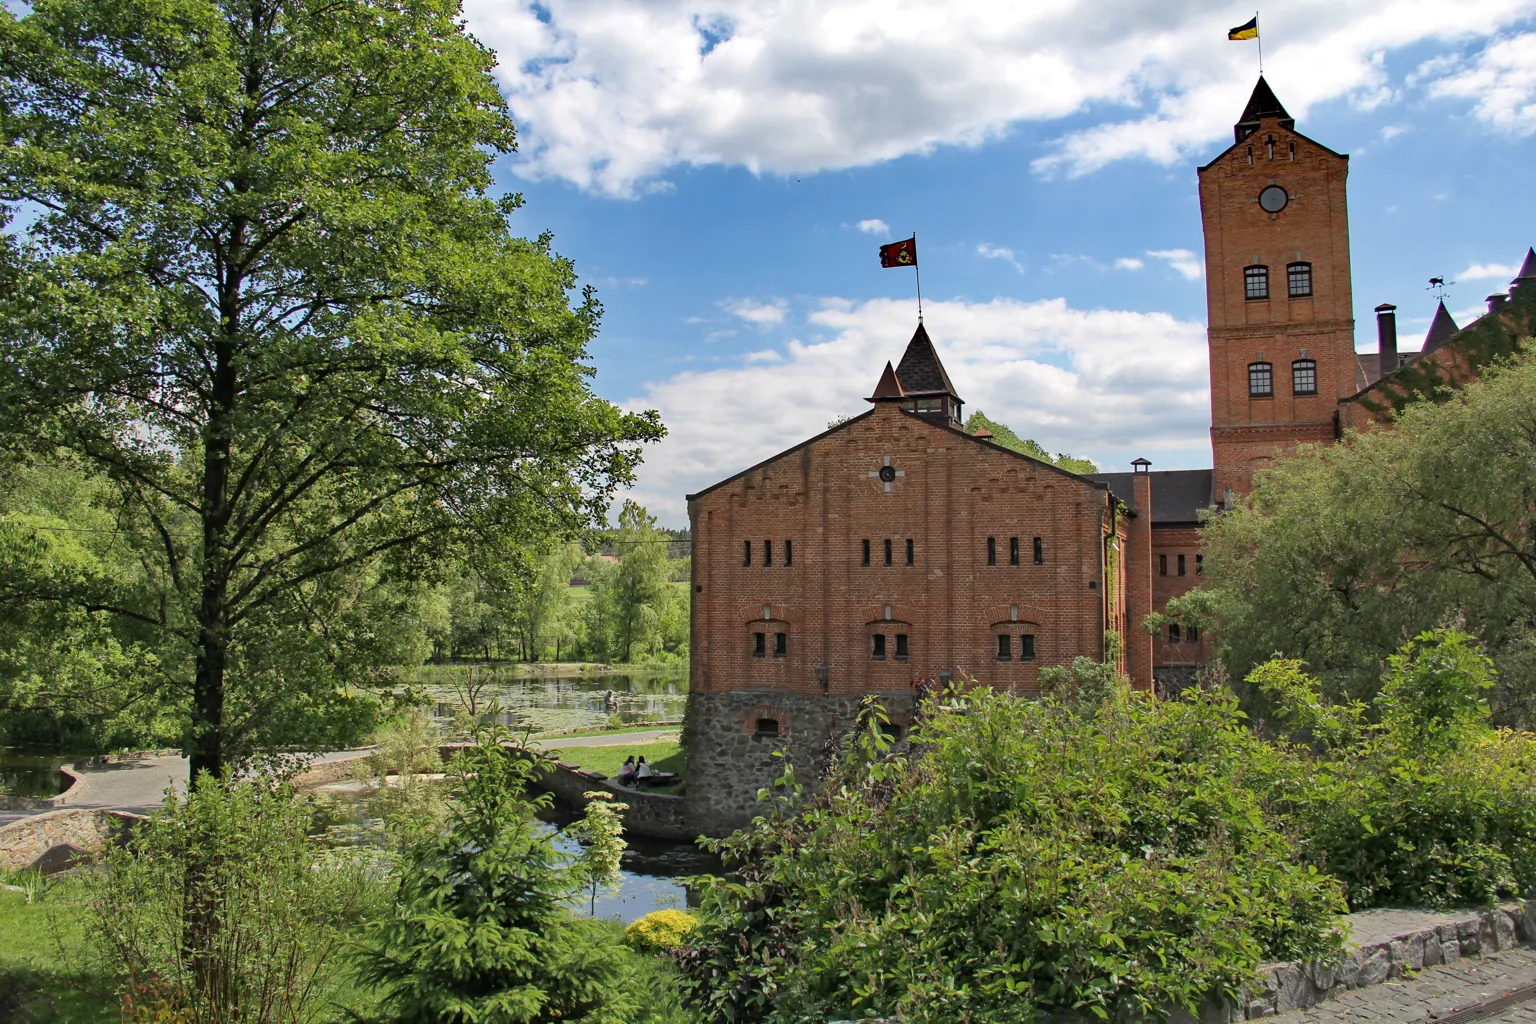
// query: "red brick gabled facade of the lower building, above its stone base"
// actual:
[[952, 564]]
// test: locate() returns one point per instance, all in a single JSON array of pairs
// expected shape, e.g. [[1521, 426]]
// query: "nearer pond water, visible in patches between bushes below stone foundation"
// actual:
[[652, 871]]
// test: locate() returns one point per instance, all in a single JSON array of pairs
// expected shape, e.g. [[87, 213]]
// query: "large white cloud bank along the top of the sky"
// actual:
[[611, 94]]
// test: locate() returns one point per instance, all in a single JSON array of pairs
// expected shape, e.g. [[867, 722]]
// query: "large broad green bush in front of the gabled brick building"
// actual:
[[1034, 859]]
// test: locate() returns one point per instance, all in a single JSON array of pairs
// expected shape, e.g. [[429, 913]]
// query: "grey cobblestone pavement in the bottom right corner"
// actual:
[[1434, 993]]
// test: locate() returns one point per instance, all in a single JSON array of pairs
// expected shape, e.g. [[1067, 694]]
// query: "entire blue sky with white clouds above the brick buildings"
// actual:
[[724, 173]]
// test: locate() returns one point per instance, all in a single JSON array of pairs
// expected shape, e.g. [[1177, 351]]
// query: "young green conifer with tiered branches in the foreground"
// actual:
[[482, 931]]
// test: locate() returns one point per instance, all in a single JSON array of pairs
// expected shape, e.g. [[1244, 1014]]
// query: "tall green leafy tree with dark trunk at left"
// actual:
[[268, 294]]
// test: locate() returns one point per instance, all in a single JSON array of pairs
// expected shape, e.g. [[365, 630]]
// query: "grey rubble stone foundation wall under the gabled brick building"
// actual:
[[730, 759]]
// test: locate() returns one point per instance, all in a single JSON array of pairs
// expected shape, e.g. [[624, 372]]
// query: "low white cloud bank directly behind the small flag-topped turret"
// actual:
[[1107, 385]]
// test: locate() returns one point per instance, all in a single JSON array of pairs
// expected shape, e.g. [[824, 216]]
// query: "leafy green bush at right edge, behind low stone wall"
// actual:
[[1431, 807]]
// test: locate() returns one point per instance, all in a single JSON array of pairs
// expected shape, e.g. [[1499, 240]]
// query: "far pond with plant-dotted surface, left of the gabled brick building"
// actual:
[[557, 698]]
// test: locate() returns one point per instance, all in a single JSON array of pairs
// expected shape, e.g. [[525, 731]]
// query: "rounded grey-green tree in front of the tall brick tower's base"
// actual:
[[1348, 552]]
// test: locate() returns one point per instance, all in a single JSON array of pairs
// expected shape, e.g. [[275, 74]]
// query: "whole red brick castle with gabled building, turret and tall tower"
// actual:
[[898, 546]]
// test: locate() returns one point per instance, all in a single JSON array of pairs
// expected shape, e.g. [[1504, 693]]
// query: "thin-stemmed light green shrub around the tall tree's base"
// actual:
[[220, 911]]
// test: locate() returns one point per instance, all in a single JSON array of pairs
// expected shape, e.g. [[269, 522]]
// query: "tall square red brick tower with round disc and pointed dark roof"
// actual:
[[1280, 312]]
